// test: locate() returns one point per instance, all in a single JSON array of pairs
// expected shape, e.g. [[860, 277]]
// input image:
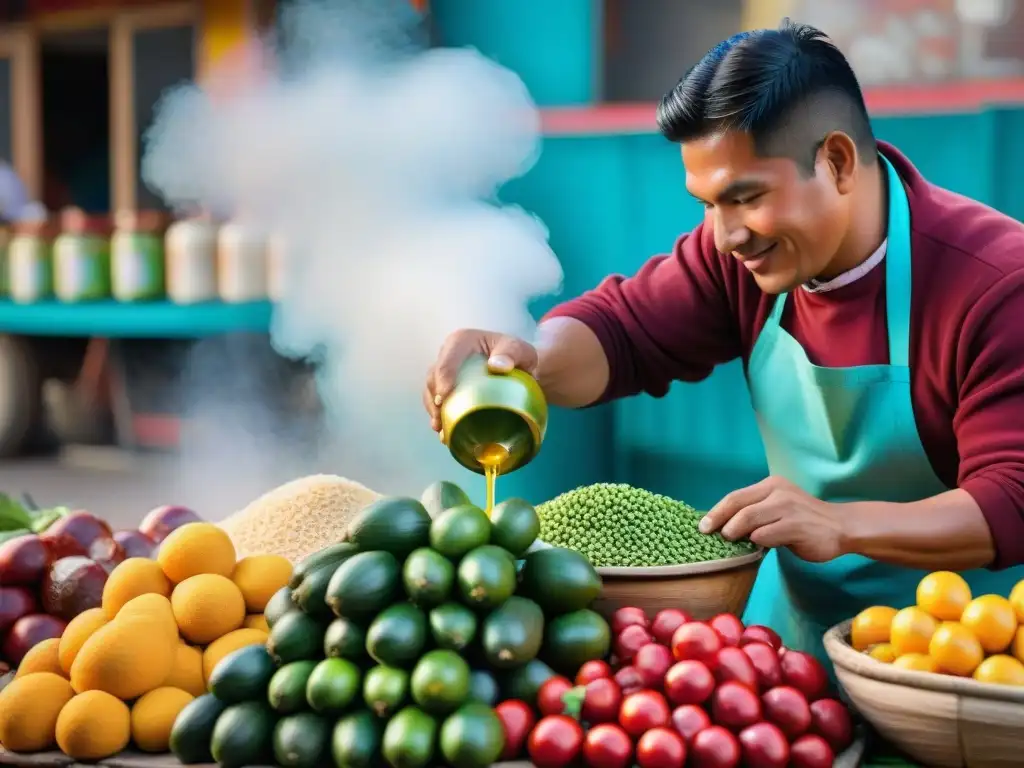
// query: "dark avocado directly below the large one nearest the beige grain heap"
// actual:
[[364, 585]]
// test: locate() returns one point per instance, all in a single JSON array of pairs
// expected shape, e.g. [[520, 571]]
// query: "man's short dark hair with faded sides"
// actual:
[[789, 89]]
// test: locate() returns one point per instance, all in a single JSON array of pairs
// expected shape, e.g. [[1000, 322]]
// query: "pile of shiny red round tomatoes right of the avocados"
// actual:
[[681, 693]]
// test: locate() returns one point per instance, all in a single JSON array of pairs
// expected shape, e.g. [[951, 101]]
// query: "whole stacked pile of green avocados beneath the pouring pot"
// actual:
[[394, 647]]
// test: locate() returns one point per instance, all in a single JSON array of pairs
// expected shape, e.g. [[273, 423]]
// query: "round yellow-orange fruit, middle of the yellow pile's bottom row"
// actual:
[[94, 726]]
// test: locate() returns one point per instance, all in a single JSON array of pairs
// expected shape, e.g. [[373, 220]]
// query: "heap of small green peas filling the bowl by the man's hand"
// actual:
[[616, 525]]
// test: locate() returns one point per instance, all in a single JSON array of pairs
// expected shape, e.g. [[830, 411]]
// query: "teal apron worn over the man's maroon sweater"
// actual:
[[844, 435]]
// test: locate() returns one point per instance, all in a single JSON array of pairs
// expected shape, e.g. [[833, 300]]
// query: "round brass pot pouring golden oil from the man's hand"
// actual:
[[489, 410]]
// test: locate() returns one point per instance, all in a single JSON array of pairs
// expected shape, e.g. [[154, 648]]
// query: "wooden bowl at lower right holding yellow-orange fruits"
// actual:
[[938, 720]]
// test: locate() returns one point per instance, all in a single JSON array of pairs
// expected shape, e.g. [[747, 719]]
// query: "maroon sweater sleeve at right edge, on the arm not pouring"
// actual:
[[990, 418]]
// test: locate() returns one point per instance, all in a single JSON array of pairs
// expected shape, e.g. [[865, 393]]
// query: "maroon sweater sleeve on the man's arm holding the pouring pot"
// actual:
[[671, 321]]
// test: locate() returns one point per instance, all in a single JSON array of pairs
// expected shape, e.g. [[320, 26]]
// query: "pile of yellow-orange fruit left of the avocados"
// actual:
[[123, 669]]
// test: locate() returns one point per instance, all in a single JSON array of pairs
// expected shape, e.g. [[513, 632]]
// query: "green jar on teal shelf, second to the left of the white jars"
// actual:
[[82, 259]]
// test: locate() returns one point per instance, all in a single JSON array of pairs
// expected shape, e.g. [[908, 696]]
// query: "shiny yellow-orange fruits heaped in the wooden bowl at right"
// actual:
[[949, 631]]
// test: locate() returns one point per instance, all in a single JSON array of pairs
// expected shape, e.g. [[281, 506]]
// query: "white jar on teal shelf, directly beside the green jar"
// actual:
[[191, 247]]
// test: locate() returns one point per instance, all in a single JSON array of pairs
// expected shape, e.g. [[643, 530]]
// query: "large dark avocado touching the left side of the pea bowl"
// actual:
[[561, 581]]
